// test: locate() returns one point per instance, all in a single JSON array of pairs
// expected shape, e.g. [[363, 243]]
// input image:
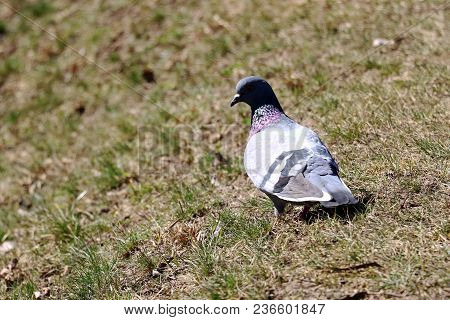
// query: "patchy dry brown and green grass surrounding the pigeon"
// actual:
[[168, 211]]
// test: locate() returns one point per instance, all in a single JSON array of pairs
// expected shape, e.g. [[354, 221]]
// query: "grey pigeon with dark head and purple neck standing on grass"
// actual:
[[285, 160]]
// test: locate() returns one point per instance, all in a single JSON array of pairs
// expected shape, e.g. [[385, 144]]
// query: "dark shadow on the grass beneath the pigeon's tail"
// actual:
[[344, 214]]
